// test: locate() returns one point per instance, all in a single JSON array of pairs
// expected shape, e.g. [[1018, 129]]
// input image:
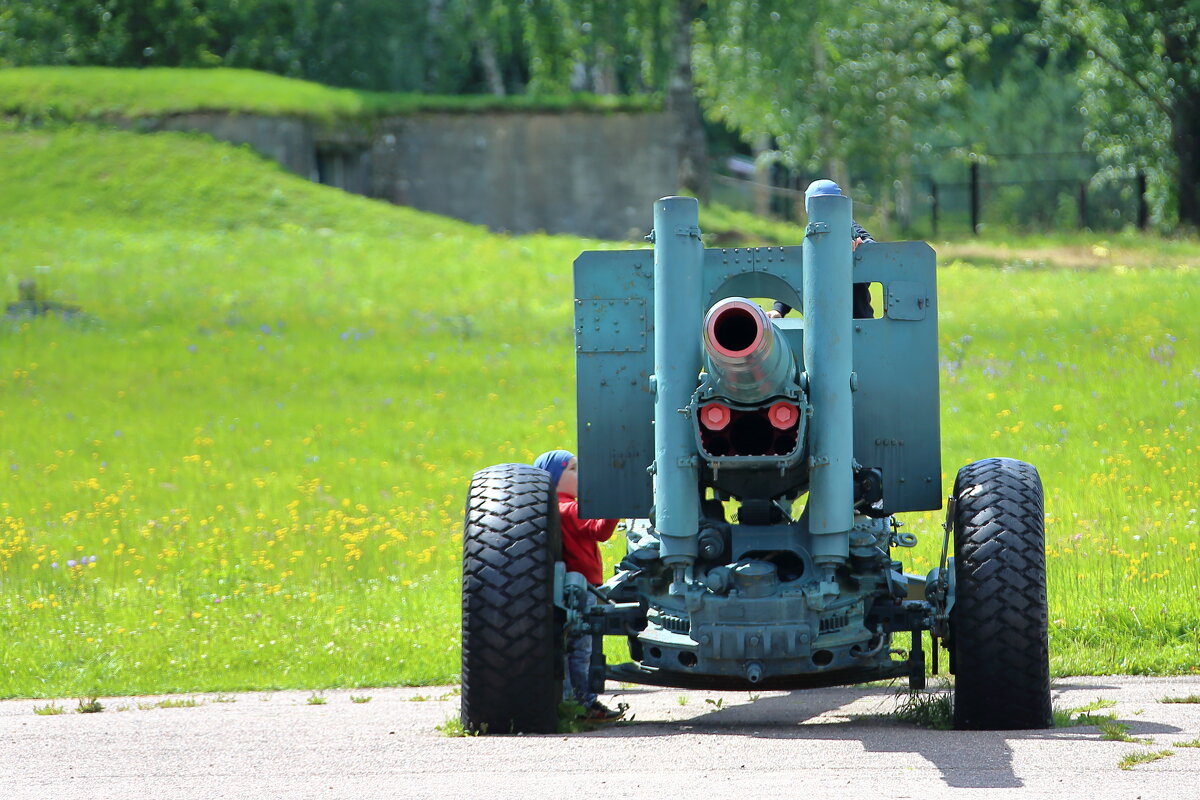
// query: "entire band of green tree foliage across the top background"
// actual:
[[880, 93]]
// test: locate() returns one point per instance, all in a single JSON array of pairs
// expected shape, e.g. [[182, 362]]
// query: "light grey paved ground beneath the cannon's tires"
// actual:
[[679, 745]]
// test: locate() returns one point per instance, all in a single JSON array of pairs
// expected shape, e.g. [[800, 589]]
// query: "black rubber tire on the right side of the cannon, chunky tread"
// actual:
[[999, 622]]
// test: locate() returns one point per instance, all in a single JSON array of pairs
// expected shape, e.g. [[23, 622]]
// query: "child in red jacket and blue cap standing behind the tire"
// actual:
[[581, 554]]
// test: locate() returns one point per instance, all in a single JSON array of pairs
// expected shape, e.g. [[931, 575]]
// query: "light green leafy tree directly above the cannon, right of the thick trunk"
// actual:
[[837, 86]]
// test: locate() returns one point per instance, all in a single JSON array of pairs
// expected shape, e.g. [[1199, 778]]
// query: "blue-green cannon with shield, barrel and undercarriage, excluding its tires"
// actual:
[[775, 596]]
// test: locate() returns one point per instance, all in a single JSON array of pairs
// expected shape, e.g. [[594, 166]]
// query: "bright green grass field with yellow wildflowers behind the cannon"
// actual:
[[242, 464]]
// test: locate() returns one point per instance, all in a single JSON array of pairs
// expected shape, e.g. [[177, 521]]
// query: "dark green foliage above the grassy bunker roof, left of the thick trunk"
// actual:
[[443, 46]]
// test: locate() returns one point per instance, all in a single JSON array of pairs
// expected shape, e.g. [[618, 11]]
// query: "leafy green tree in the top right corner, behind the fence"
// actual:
[[1142, 93]]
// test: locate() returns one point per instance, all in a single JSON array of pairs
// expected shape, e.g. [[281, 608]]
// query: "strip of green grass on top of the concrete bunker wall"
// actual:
[[94, 93]]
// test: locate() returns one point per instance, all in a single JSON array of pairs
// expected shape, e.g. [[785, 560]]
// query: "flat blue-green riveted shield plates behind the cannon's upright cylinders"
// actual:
[[896, 364]]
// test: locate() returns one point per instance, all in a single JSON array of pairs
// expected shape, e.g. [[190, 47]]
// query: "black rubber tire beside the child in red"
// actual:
[[513, 643]]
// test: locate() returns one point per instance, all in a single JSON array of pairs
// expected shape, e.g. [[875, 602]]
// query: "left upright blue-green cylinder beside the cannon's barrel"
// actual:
[[679, 260]]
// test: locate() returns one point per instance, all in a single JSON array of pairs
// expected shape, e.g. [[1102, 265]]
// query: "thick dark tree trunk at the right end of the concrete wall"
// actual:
[[692, 146]]
